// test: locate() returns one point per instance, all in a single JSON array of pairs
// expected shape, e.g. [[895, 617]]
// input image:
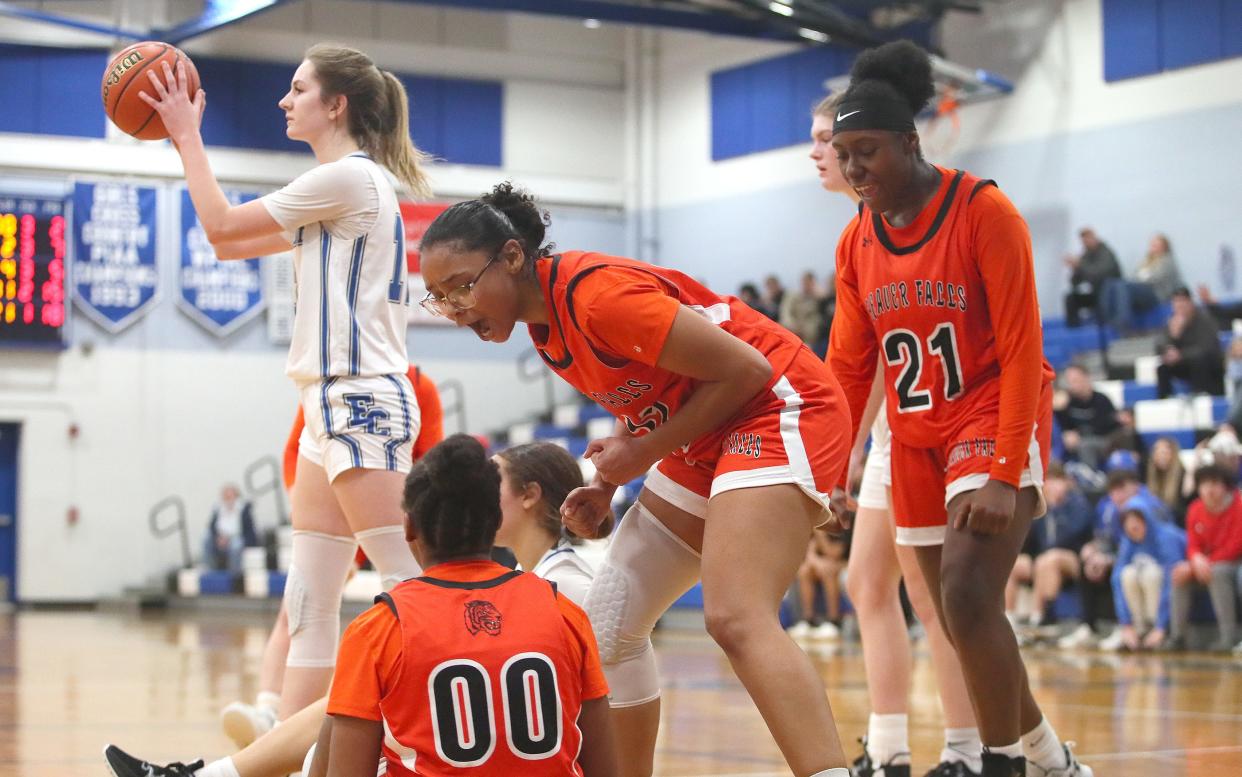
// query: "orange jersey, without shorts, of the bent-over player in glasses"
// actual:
[[609, 318]]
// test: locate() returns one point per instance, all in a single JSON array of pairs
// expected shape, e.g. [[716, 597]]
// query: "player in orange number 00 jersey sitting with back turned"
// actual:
[[470, 666]]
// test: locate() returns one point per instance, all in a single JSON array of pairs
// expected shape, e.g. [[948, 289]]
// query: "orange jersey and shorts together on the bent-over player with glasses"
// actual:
[[604, 307]]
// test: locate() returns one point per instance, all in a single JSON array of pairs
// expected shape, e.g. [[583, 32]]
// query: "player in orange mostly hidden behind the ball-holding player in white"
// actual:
[[245, 723]]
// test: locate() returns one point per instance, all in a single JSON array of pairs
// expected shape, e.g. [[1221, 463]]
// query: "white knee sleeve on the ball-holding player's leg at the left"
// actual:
[[312, 598]]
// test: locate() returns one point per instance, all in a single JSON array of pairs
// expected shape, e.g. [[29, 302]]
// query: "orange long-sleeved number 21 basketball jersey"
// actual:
[[945, 302]]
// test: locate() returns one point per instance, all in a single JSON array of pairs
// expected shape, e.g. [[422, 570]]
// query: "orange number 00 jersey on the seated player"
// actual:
[[491, 676]]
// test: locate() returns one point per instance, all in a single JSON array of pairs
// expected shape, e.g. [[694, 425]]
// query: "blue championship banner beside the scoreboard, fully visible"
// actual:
[[116, 276]]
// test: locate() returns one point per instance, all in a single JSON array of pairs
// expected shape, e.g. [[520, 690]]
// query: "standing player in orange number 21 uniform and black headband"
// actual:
[[936, 279]]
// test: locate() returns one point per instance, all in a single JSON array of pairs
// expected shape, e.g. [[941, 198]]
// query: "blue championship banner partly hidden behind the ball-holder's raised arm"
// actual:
[[220, 296]]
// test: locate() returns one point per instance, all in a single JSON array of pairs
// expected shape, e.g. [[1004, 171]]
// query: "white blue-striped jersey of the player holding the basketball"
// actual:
[[350, 276]]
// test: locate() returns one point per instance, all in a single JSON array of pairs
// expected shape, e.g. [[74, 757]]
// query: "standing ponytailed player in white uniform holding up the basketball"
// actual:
[[348, 354]]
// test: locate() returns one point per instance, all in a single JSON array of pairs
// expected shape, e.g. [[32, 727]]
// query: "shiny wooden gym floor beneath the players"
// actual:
[[71, 682]]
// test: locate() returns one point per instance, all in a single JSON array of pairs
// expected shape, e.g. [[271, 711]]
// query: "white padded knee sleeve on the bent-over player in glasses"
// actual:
[[646, 569]]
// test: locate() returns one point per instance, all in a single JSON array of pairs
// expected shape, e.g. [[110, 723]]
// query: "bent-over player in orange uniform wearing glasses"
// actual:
[[742, 428]]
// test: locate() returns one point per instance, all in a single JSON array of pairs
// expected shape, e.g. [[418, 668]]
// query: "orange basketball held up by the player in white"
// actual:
[[127, 76]]
